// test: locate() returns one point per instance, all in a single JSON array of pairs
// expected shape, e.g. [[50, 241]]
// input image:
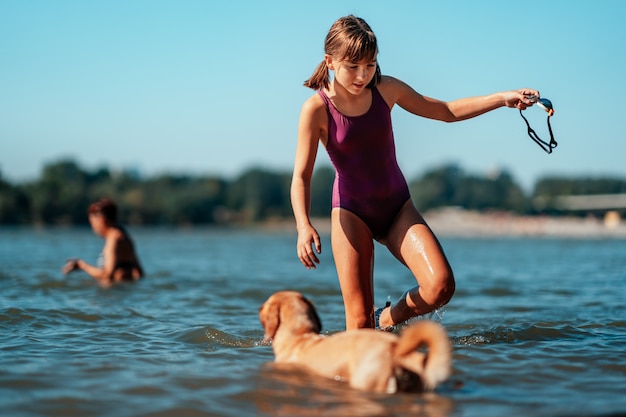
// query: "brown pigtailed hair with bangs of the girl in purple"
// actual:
[[349, 39]]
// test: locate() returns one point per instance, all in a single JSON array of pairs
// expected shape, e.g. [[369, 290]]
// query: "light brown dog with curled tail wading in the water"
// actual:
[[368, 359]]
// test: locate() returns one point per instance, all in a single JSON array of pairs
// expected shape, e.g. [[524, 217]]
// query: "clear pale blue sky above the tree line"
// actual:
[[208, 87]]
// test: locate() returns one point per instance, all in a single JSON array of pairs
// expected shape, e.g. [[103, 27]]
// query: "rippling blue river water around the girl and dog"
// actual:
[[538, 327]]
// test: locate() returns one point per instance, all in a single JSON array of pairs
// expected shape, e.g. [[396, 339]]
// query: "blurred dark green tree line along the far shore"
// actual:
[[64, 190]]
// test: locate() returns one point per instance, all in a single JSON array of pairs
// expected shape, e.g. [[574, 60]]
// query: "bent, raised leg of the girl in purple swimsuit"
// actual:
[[414, 244]]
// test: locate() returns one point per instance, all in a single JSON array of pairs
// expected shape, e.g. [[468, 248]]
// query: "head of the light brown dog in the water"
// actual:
[[291, 311]]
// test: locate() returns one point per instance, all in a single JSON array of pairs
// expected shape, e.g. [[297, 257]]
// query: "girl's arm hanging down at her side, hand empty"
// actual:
[[310, 131]]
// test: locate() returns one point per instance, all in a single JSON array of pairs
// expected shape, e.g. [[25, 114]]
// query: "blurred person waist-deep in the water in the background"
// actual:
[[119, 262]]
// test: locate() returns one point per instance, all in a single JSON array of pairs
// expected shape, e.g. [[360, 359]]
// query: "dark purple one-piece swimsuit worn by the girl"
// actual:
[[368, 180]]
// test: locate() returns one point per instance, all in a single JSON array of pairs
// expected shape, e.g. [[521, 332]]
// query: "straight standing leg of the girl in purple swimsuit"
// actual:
[[353, 251]]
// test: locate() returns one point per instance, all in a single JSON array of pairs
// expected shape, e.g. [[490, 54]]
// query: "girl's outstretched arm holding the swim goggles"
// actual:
[[396, 91]]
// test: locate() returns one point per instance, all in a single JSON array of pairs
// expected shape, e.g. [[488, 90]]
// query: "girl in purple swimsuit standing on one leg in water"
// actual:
[[350, 115]]
